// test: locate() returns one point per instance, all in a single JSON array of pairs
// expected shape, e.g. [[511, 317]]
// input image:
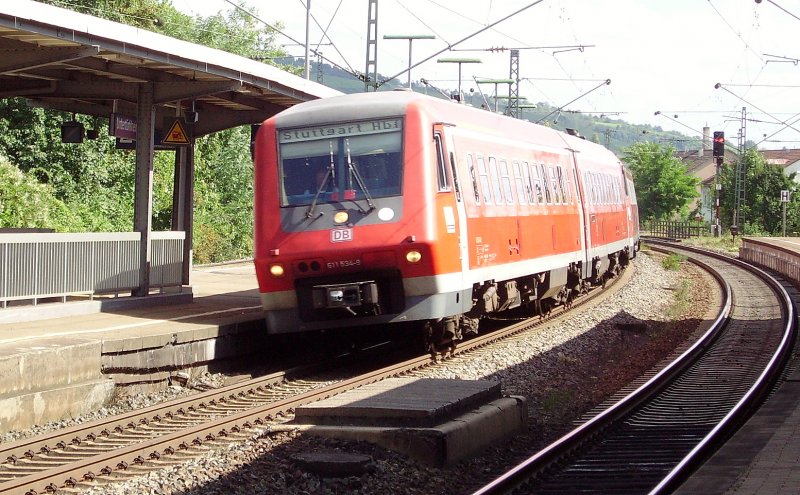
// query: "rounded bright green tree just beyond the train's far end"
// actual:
[[663, 188]]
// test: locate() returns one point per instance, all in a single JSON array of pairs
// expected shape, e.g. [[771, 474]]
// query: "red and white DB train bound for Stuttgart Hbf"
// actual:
[[389, 207]]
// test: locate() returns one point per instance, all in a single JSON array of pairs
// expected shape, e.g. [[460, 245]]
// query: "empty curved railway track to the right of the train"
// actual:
[[652, 439]]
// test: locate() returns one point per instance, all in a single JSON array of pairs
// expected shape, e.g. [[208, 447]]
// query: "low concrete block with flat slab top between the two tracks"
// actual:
[[468, 416]]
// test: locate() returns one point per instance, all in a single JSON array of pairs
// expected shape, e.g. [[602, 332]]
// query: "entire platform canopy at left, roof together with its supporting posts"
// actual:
[[144, 83]]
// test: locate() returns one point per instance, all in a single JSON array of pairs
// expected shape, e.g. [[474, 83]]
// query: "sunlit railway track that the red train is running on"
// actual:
[[135, 443]]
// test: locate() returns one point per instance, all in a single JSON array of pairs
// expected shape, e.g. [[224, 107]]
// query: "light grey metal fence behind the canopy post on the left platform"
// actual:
[[36, 266]]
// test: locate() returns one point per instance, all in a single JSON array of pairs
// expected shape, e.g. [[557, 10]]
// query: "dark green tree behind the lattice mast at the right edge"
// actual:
[[762, 210]]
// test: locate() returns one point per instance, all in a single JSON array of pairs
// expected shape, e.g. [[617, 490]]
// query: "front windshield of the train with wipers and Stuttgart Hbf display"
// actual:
[[341, 162]]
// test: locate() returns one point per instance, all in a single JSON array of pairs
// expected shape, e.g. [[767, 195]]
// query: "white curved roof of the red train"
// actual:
[[365, 106]]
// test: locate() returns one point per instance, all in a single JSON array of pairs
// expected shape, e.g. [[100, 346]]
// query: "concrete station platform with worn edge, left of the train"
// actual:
[[62, 359]]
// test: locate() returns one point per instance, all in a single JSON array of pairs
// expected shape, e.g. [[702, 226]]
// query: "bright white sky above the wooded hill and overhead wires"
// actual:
[[664, 58]]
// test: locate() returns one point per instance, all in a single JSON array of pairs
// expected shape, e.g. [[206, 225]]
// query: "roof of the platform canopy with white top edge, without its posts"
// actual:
[[68, 61]]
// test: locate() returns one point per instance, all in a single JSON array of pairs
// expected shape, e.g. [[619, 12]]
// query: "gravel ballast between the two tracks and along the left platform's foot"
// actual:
[[563, 370]]
